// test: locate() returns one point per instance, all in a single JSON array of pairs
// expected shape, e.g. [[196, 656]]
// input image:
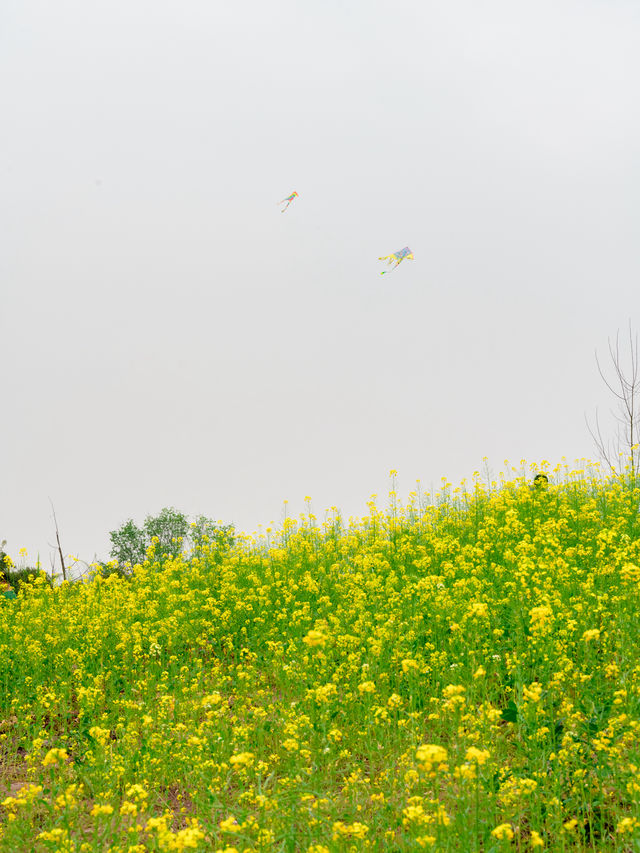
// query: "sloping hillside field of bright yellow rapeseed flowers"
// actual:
[[459, 674]]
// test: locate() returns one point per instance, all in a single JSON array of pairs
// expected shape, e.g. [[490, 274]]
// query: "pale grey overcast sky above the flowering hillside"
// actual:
[[168, 337]]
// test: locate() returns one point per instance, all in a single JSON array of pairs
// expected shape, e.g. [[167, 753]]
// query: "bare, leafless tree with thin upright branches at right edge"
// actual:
[[623, 382]]
